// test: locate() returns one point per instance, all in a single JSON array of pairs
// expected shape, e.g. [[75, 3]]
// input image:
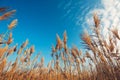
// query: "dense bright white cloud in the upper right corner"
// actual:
[[109, 14]]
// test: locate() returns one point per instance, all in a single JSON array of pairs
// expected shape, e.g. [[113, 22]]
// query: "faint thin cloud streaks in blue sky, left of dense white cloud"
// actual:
[[75, 11]]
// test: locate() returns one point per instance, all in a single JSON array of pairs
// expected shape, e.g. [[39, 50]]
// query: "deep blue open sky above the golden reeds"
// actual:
[[40, 20]]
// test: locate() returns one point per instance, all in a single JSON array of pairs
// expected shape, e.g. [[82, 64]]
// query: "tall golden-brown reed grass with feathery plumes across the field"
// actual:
[[100, 62]]
